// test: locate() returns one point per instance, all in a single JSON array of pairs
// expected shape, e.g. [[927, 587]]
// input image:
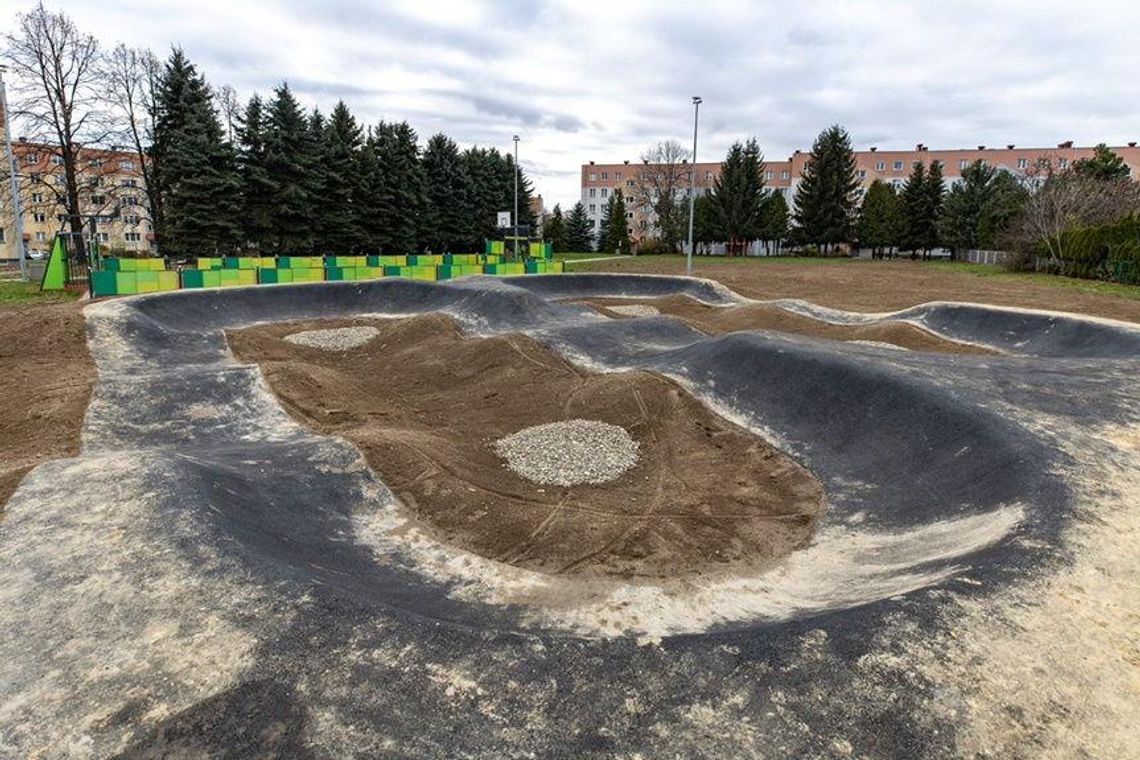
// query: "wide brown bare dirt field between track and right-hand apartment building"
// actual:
[[874, 287]]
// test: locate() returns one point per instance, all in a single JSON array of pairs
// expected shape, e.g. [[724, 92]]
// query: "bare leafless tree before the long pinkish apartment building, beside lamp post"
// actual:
[[662, 184]]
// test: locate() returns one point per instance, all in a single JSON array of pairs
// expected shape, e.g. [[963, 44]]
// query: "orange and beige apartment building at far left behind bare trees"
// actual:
[[111, 189]]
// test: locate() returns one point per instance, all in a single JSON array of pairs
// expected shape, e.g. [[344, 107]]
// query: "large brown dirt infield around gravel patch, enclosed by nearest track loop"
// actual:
[[426, 406]]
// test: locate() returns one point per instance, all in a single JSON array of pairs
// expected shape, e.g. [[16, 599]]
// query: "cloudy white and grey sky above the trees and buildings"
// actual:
[[581, 81]]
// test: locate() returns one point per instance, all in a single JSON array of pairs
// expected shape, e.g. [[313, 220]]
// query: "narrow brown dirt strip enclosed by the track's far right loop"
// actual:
[[716, 321]]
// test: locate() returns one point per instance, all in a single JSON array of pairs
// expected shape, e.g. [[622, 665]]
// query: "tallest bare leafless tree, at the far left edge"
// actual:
[[56, 71]]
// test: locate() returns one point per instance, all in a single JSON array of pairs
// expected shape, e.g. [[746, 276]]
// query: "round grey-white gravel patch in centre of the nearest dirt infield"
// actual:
[[569, 453]]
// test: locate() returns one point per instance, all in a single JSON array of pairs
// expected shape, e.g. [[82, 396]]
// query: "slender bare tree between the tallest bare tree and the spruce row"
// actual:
[[132, 79]]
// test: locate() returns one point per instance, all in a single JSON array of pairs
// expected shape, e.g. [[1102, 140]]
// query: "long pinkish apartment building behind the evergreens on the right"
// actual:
[[599, 182]]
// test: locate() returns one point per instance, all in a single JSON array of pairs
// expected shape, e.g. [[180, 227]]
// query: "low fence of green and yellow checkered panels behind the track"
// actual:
[[132, 276]]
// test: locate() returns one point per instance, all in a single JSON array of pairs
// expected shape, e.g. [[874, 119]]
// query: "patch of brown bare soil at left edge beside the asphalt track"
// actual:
[[46, 380]]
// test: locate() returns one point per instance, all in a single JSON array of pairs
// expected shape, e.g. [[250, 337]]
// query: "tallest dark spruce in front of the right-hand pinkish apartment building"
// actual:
[[827, 195]]
